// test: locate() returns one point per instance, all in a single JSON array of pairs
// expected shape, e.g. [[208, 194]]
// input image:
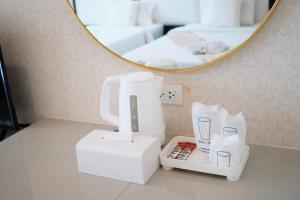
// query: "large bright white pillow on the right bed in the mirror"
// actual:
[[224, 13]]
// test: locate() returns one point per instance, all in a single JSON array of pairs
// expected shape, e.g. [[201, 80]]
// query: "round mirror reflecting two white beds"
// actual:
[[172, 35]]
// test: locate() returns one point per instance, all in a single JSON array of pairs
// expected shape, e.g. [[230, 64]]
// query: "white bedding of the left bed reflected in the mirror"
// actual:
[[123, 39]]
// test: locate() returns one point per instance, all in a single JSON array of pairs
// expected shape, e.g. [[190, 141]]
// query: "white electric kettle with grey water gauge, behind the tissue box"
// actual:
[[140, 110]]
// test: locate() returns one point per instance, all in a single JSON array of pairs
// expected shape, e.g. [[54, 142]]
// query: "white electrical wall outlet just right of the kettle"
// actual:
[[171, 94]]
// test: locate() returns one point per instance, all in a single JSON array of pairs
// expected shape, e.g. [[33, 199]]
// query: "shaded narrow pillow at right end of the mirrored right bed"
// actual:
[[248, 12]]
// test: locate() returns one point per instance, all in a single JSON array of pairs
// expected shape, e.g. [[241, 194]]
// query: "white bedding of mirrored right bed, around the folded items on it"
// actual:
[[164, 47]]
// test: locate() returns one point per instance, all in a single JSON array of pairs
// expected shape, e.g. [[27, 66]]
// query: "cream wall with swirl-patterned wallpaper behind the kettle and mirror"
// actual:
[[57, 71]]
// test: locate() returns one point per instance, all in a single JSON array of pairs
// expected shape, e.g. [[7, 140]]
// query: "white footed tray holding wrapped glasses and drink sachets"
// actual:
[[193, 163]]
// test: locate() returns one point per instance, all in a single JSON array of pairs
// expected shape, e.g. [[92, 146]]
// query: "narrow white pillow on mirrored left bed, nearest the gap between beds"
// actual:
[[145, 12]]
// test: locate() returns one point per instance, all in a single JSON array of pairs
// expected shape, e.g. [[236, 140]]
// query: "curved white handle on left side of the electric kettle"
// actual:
[[104, 104]]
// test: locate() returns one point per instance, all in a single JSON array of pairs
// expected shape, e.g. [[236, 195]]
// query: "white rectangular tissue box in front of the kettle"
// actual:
[[103, 153]]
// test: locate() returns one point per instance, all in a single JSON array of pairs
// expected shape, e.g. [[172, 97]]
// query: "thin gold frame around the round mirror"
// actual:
[[228, 53]]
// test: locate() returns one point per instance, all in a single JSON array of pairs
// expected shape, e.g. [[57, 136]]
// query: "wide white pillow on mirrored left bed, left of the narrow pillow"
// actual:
[[121, 13]]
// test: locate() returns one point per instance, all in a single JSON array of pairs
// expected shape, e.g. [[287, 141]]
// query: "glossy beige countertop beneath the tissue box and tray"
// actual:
[[39, 163]]
